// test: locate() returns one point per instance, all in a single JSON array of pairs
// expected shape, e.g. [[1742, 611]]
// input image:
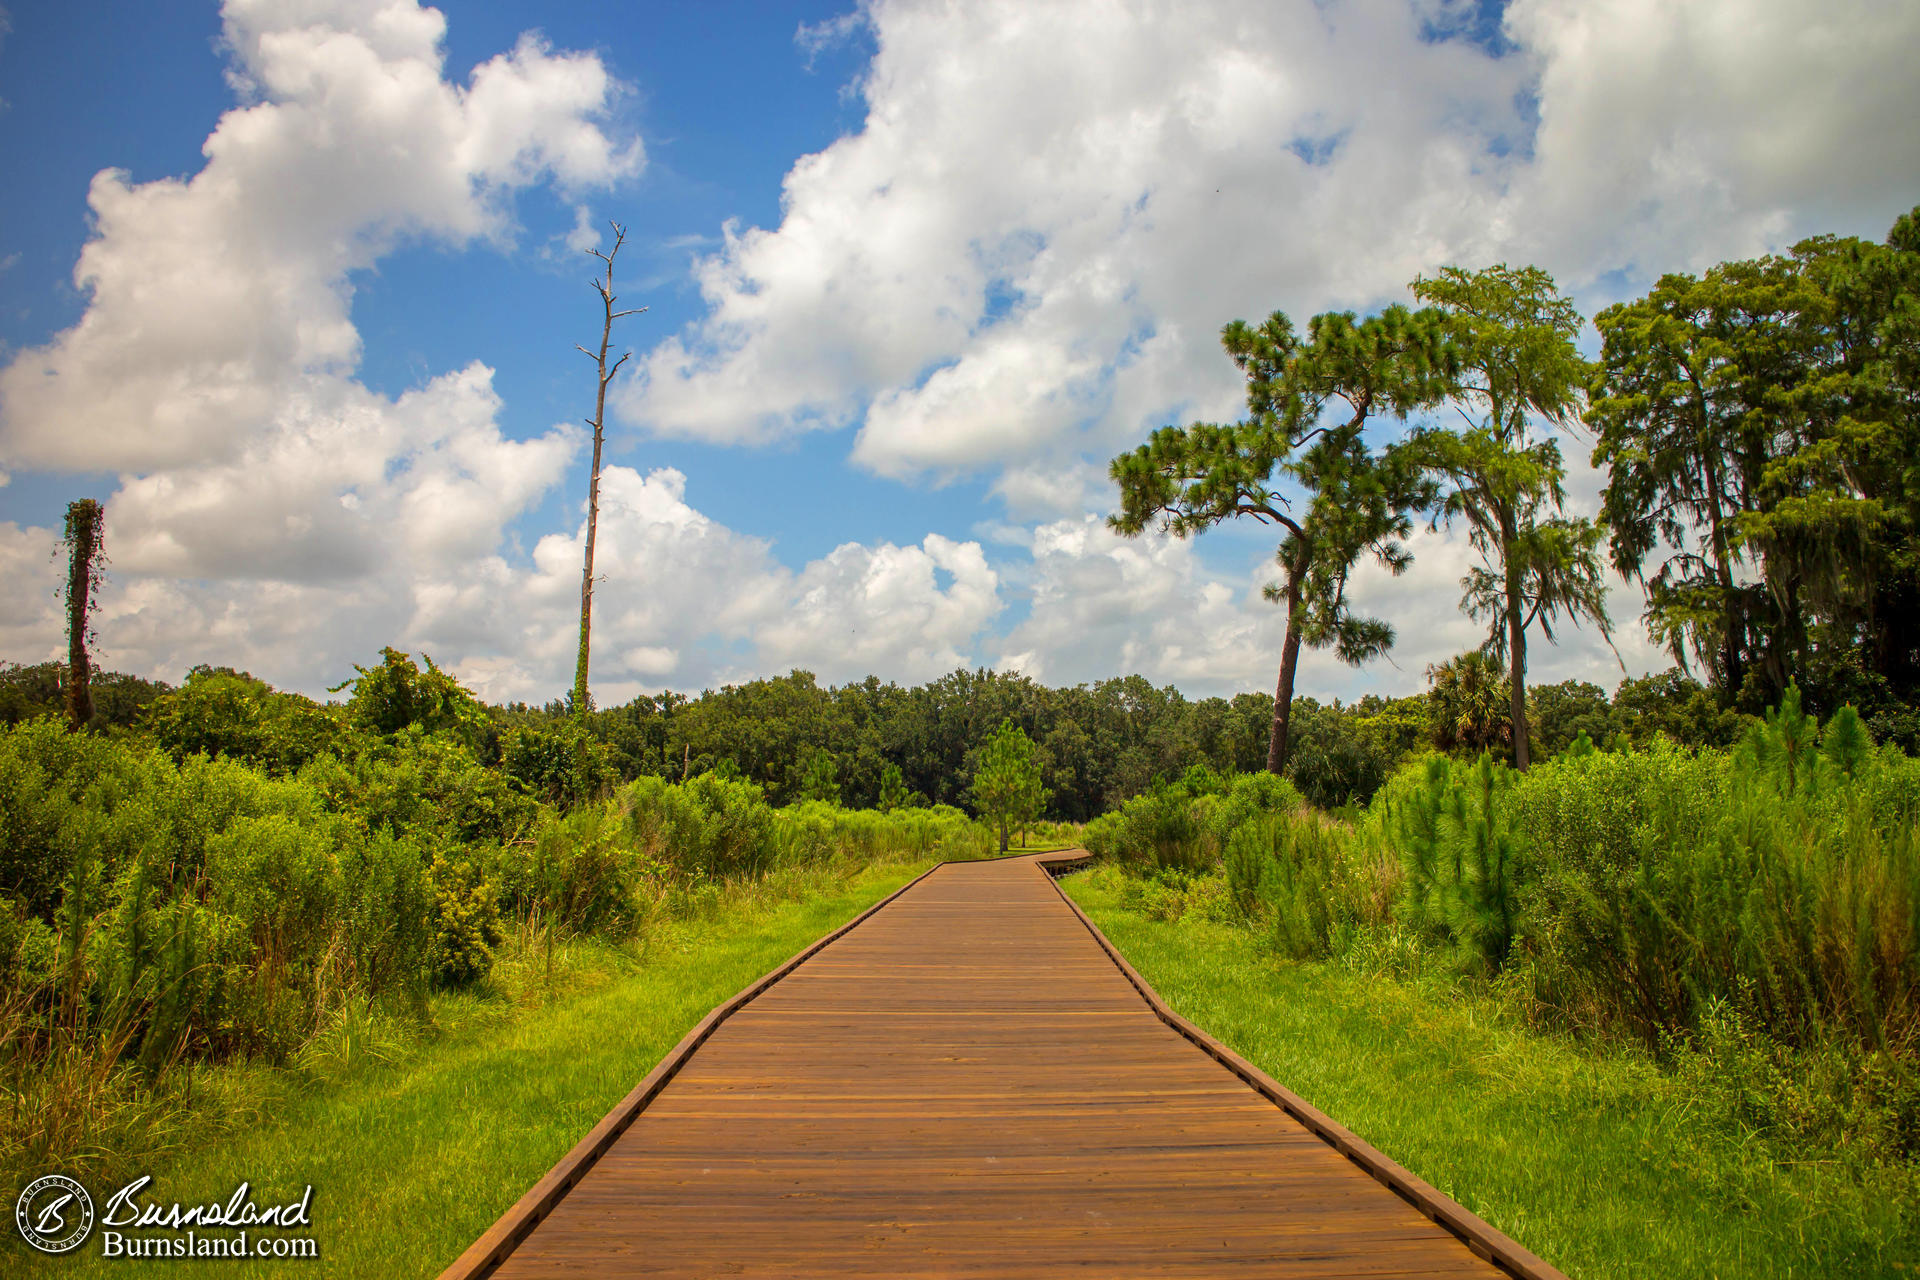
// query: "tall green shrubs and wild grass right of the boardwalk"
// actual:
[[1750, 916]]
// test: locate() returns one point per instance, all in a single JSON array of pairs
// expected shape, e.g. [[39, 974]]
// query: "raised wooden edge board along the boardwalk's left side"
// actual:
[[500, 1241]]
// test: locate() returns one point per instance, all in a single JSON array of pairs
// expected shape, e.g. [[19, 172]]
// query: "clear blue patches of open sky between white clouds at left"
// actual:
[[725, 101]]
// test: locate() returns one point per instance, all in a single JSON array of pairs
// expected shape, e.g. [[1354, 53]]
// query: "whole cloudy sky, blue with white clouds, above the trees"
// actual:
[[913, 275]]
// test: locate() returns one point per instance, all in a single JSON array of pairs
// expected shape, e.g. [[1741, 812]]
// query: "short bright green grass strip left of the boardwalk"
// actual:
[[412, 1160]]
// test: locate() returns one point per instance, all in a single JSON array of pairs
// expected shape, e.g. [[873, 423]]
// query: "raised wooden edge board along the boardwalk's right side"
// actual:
[[1485, 1241]]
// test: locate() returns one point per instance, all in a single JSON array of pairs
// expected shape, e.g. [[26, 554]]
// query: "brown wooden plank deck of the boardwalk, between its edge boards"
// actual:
[[969, 1085]]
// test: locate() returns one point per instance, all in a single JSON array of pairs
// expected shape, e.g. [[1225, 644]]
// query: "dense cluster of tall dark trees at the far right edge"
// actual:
[[1760, 421]]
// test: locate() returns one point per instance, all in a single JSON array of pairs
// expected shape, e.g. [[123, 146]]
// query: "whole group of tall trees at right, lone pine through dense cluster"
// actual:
[[1758, 427]]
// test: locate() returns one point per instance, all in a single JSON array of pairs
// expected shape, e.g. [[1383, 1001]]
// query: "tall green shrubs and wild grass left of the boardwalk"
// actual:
[[158, 914]]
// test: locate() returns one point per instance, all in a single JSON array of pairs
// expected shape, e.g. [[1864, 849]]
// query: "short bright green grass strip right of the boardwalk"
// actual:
[[1593, 1158]]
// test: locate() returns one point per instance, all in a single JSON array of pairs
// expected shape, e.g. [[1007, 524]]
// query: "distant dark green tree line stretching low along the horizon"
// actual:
[[875, 744]]
